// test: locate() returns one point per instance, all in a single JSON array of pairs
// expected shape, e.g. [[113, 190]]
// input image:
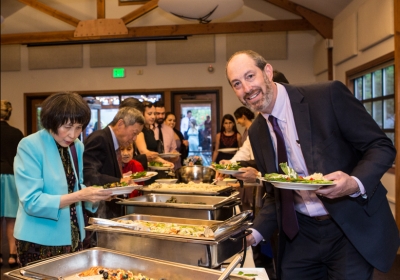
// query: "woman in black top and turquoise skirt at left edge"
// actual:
[[9, 139]]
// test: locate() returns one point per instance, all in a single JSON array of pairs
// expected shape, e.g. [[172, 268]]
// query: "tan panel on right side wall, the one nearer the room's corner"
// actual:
[[345, 39]]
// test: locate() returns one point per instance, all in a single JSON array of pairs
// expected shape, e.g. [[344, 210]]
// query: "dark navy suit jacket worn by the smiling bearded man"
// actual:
[[336, 133]]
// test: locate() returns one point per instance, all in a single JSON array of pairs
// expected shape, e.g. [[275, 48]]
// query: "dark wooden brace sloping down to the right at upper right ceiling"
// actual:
[[321, 23]]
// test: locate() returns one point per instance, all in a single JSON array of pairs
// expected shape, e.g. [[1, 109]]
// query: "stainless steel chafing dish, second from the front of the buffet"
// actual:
[[202, 251]]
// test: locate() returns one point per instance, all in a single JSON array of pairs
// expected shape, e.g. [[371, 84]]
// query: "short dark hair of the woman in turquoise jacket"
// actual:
[[63, 107]]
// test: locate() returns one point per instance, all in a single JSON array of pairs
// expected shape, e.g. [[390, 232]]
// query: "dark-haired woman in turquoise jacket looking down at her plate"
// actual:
[[48, 176]]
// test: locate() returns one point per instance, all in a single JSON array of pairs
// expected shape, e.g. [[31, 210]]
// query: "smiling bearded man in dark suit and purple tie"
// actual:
[[340, 231]]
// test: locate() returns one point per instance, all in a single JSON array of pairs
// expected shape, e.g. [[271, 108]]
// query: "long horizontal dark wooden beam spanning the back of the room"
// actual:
[[164, 31]]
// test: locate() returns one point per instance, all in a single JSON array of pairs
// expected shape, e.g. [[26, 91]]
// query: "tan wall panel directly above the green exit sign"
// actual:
[[118, 54]]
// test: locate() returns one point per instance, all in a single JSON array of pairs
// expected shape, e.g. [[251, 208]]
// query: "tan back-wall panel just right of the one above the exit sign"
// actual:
[[196, 49]]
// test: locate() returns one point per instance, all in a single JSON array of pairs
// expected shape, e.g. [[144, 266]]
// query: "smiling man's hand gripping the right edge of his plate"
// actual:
[[344, 185]]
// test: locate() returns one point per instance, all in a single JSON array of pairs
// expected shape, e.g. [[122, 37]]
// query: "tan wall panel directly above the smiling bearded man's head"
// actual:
[[271, 45]]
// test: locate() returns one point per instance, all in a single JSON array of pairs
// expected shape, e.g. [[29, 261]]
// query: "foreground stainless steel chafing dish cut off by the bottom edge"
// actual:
[[68, 266]]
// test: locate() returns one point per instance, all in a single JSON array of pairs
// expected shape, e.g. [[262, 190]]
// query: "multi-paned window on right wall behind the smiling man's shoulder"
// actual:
[[375, 89]]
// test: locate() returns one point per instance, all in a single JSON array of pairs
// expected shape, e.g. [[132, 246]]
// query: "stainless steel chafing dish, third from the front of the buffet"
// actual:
[[186, 206]]
